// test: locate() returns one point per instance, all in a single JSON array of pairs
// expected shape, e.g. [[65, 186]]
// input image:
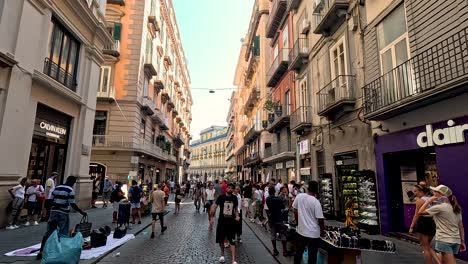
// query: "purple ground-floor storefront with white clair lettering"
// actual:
[[436, 153]]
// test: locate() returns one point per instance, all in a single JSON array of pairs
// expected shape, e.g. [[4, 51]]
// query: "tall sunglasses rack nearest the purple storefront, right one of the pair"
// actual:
[[368, 206]]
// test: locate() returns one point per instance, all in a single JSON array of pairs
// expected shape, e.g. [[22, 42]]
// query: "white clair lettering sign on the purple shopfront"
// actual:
[[452, 134]]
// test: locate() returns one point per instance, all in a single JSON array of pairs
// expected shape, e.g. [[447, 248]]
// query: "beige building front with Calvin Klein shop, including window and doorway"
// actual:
[[50, 56]]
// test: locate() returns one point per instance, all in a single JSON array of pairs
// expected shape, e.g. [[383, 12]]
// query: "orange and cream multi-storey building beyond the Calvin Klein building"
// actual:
[[143, 114]]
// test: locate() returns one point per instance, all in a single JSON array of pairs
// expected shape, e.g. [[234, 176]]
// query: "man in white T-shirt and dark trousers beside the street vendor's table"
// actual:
[[309, 216]]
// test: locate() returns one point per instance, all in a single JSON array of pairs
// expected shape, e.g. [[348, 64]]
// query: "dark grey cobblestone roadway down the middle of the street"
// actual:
[[187, 240]]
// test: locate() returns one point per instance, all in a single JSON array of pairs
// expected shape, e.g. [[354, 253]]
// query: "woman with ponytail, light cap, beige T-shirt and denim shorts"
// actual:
[[450, 234]]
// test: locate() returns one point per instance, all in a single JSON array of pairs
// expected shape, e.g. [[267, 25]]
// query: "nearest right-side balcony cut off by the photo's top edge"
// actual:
[[329, 15]]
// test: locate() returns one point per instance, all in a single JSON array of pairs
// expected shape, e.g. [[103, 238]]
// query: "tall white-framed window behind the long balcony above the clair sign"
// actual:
[[392, 37]]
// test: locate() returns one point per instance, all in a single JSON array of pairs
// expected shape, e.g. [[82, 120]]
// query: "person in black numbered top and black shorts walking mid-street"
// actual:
[[227, 220]]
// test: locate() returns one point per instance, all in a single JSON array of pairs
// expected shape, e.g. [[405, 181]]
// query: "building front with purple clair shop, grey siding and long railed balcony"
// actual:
[[416, 96]]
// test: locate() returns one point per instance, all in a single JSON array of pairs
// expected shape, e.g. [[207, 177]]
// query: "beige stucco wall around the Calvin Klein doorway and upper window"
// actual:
[[27, 24]]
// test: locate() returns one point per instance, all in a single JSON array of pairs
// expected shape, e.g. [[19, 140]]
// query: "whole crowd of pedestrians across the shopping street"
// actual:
[[272, 205]]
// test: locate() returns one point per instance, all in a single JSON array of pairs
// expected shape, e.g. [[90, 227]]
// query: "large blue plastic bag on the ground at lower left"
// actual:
[[62, 250]]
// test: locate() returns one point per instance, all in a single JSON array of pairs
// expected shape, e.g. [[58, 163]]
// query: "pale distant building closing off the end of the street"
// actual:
[[208, 161]]
